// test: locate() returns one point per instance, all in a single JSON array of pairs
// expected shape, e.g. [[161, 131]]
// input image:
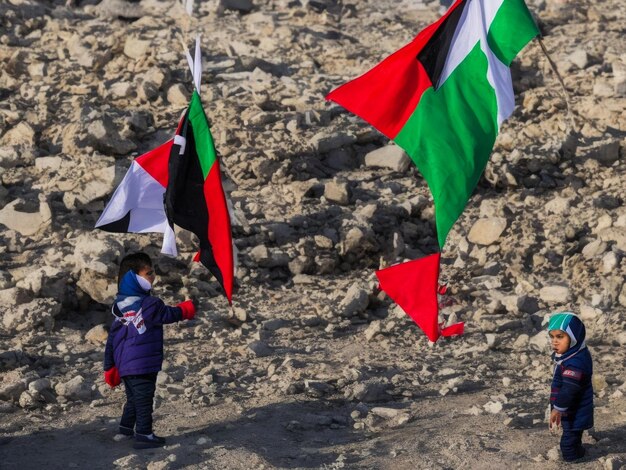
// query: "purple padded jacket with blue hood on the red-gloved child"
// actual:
[[135, 342]]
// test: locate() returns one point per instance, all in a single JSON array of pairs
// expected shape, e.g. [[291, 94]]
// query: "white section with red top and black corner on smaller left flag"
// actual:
[[137, 204]]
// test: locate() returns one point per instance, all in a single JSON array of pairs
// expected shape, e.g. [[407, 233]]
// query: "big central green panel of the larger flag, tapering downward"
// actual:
[[450, 135]]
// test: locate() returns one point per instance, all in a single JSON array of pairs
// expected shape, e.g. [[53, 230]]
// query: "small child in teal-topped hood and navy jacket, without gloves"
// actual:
[[571, 397]]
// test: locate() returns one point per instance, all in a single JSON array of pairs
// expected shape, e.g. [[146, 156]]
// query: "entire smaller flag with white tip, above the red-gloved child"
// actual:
[[179, 183]]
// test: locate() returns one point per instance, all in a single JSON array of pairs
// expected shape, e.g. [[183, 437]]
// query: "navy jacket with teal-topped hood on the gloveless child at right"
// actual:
[[572, 390]]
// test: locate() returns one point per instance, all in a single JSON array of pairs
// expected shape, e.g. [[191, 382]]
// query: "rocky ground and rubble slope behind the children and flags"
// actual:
[[314, 368]]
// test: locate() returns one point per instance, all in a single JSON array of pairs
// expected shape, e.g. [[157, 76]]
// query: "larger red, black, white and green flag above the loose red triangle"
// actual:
[[443, 97]]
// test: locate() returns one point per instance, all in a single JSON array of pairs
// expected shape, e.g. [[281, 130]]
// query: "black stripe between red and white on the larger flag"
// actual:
[[434, 54]]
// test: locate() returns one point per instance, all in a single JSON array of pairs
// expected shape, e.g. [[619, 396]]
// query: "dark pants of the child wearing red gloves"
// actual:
[[139, 398]]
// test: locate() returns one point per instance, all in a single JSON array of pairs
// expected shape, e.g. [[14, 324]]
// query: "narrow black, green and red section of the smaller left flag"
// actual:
[[195, 199]]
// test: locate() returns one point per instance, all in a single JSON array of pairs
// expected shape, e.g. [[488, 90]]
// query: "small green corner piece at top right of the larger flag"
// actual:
[[511, 29]]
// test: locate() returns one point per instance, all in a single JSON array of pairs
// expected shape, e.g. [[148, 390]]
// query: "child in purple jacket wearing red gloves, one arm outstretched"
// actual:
[[134, 349]]
